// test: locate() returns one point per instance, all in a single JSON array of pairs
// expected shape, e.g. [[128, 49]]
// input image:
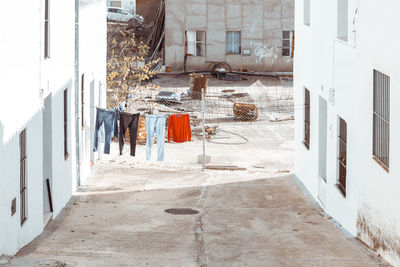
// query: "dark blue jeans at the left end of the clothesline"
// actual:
[[109, 118]]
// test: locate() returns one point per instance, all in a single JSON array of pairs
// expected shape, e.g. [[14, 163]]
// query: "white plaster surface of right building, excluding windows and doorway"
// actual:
[[370, 208]]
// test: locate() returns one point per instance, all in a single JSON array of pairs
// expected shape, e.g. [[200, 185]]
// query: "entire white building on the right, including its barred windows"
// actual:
[[346, 78]]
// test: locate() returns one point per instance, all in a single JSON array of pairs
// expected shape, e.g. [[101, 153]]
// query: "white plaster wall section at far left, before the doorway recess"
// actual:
[[20, 107]]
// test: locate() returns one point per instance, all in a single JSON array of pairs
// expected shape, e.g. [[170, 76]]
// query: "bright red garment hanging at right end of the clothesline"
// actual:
[[179, 128]]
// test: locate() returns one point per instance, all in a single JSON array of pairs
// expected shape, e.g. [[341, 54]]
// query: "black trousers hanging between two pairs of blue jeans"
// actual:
[[128, 121]]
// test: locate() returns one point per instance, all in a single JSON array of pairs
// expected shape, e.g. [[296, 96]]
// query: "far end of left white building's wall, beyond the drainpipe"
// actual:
[[92, 62]]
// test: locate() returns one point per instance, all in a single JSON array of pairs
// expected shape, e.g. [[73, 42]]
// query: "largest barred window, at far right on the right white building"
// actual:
[[381, 120]]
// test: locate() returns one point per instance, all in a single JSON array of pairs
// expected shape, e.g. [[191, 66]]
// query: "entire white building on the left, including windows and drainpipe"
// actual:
[[53, 76]]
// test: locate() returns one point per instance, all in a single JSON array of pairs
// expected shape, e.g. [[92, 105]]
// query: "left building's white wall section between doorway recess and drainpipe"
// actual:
[[57, 76]]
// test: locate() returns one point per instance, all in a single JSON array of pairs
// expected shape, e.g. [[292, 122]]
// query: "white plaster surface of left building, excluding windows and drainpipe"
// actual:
[[27, 79]]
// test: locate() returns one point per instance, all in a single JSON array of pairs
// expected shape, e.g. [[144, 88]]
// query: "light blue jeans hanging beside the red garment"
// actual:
[[155, 124]]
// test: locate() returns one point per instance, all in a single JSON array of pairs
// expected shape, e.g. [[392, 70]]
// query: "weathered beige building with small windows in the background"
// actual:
[[257, 35]]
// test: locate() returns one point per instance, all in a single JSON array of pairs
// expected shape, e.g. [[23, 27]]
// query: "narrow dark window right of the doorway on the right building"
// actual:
[[342, 156]]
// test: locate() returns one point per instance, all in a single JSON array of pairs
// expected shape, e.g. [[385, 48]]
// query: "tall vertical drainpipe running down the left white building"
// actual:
[[78, 162]]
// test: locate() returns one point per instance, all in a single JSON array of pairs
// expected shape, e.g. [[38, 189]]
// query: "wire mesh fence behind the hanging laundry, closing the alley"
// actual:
[[247, 122]]
